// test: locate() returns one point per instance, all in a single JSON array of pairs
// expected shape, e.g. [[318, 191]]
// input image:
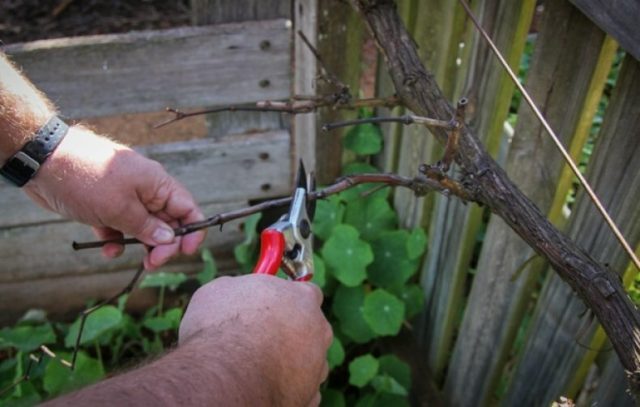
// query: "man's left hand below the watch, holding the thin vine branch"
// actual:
[[96, 181]]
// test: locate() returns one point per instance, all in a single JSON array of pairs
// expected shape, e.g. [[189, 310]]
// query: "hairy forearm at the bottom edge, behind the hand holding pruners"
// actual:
[[199, 372]]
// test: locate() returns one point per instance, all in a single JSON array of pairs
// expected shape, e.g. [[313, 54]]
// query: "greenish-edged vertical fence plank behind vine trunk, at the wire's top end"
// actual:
[[454, 225]]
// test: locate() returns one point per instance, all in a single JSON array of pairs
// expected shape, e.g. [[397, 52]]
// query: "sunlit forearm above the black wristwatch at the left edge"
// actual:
[[23, 109]]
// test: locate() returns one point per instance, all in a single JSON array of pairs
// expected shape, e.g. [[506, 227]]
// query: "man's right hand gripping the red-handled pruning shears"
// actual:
[[280, 335]]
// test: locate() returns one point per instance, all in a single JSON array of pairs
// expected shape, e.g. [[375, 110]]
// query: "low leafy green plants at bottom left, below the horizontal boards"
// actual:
[[110, 339]]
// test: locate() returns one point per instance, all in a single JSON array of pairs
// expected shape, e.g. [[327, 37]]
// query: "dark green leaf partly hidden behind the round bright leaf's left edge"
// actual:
[[347, 306]]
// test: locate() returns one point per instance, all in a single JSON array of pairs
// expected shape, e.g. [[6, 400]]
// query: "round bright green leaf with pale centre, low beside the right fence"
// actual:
[[384, 312]]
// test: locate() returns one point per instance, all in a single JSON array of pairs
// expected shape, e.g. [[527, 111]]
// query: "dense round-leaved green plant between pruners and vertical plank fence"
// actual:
[[366, 266]]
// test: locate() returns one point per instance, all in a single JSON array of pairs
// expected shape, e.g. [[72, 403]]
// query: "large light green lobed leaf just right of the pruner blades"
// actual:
[[347, 256]]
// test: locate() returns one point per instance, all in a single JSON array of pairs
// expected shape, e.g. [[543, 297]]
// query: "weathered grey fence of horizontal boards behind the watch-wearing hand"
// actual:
[[247, 52]]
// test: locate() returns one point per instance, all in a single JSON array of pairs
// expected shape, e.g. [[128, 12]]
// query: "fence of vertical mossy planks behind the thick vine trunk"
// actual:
[[499, 327]]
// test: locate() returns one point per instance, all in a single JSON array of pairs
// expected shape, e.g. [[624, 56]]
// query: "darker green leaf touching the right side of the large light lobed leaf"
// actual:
[[391, 266]]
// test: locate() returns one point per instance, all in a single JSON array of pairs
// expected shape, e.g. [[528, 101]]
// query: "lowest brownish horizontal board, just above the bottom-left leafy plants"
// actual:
[[60, 295]]
